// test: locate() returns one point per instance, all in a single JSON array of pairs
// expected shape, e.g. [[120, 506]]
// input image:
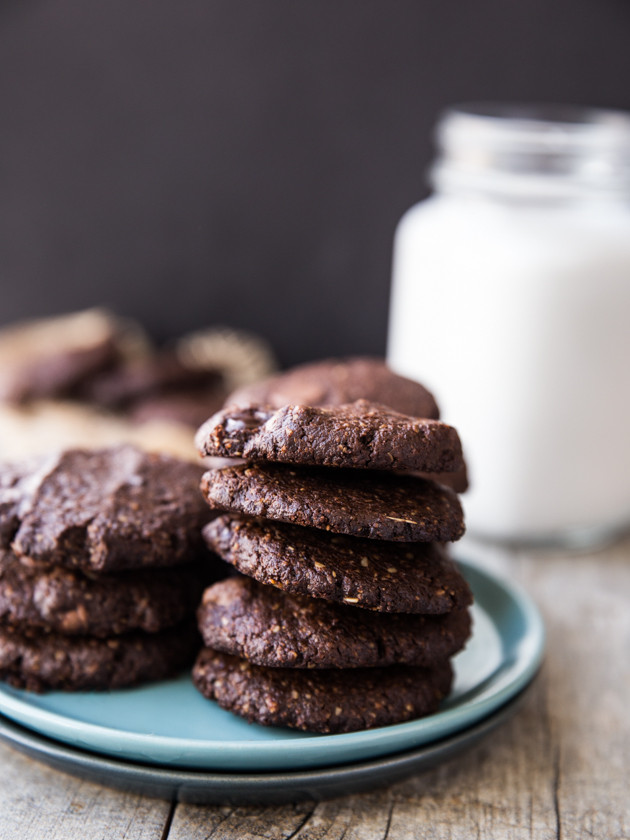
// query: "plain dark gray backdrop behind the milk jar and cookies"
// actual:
[[245, 161]]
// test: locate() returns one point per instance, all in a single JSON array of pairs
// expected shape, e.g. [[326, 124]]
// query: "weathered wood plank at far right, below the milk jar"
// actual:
[[586, 603]]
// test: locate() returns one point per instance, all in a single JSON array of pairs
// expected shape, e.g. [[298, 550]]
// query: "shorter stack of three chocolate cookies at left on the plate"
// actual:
[[101, 568]]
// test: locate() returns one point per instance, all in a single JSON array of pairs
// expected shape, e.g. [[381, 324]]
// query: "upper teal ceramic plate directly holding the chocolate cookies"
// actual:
[[171, 724]]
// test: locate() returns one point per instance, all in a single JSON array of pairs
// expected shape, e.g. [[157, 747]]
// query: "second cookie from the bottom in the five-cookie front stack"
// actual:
[[279, 630]]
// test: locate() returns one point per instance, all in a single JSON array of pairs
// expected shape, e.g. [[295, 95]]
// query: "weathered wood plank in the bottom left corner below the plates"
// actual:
[[37, 803]]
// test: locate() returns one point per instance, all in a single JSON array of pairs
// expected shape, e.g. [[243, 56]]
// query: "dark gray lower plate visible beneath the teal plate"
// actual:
[[239, 788]]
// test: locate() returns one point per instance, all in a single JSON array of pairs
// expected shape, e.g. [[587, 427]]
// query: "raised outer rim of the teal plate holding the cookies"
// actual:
[[323, 749]]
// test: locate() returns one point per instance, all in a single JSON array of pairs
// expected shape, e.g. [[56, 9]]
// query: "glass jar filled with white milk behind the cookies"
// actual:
[[511, 301]]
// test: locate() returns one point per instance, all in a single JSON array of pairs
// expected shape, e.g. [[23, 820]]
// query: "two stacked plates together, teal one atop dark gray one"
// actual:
[[167, 740]]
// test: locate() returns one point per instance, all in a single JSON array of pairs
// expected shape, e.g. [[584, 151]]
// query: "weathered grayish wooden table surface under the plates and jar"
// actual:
[[560, 768]]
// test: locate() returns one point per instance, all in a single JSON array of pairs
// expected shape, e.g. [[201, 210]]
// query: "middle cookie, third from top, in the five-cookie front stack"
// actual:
[[376, 575]]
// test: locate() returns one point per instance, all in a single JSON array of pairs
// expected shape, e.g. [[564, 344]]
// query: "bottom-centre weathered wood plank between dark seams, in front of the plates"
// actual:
[[502, 789]]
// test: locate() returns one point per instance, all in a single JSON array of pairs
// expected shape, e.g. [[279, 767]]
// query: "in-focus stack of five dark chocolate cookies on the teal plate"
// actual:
[[347, 609]]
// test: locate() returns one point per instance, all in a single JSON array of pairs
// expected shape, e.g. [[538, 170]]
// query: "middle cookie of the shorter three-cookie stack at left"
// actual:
[[70, 602]]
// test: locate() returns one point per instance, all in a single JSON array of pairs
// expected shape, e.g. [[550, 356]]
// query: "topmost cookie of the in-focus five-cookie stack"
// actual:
[[361, 435]]
